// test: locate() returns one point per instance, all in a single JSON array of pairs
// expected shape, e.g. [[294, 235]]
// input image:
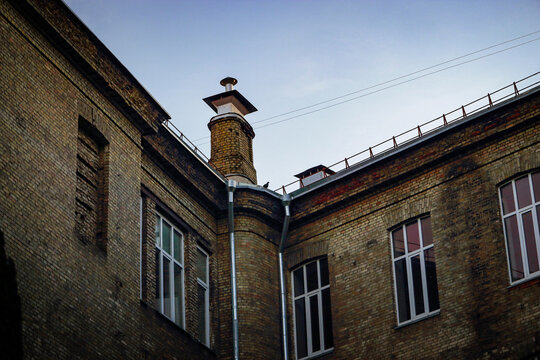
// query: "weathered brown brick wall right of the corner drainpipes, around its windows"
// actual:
[[455, 180]]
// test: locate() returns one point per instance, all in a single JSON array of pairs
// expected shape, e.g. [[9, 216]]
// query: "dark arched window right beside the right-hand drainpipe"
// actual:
[[312, 315]]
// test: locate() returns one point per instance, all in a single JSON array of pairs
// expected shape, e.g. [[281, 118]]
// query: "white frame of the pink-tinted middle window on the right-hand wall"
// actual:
[[414, 317]]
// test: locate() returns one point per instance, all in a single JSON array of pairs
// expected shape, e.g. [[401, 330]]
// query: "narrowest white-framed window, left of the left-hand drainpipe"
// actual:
[[203, 298]]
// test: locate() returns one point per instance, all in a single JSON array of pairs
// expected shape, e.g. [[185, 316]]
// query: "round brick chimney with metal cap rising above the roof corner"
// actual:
[[231, 135]]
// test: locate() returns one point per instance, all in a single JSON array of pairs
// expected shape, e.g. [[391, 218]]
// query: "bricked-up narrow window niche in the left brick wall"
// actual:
[[90, 211]]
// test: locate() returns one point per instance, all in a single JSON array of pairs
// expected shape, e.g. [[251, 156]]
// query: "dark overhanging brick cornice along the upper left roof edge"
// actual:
[[81, 47]]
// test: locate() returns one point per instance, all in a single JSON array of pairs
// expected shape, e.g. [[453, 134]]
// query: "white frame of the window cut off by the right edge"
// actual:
[[518, 212]]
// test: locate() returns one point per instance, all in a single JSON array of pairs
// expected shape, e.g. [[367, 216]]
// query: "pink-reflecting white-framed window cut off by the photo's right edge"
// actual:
[[520, 205]]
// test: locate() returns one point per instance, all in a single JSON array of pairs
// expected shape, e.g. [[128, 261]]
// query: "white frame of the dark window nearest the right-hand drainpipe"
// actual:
[[307, 295]]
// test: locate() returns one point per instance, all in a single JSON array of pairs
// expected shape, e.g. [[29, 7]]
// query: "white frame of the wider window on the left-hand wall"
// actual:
[[172, 261]]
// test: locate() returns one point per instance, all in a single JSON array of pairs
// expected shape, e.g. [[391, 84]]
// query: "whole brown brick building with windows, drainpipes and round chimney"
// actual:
[[121, 241]]
